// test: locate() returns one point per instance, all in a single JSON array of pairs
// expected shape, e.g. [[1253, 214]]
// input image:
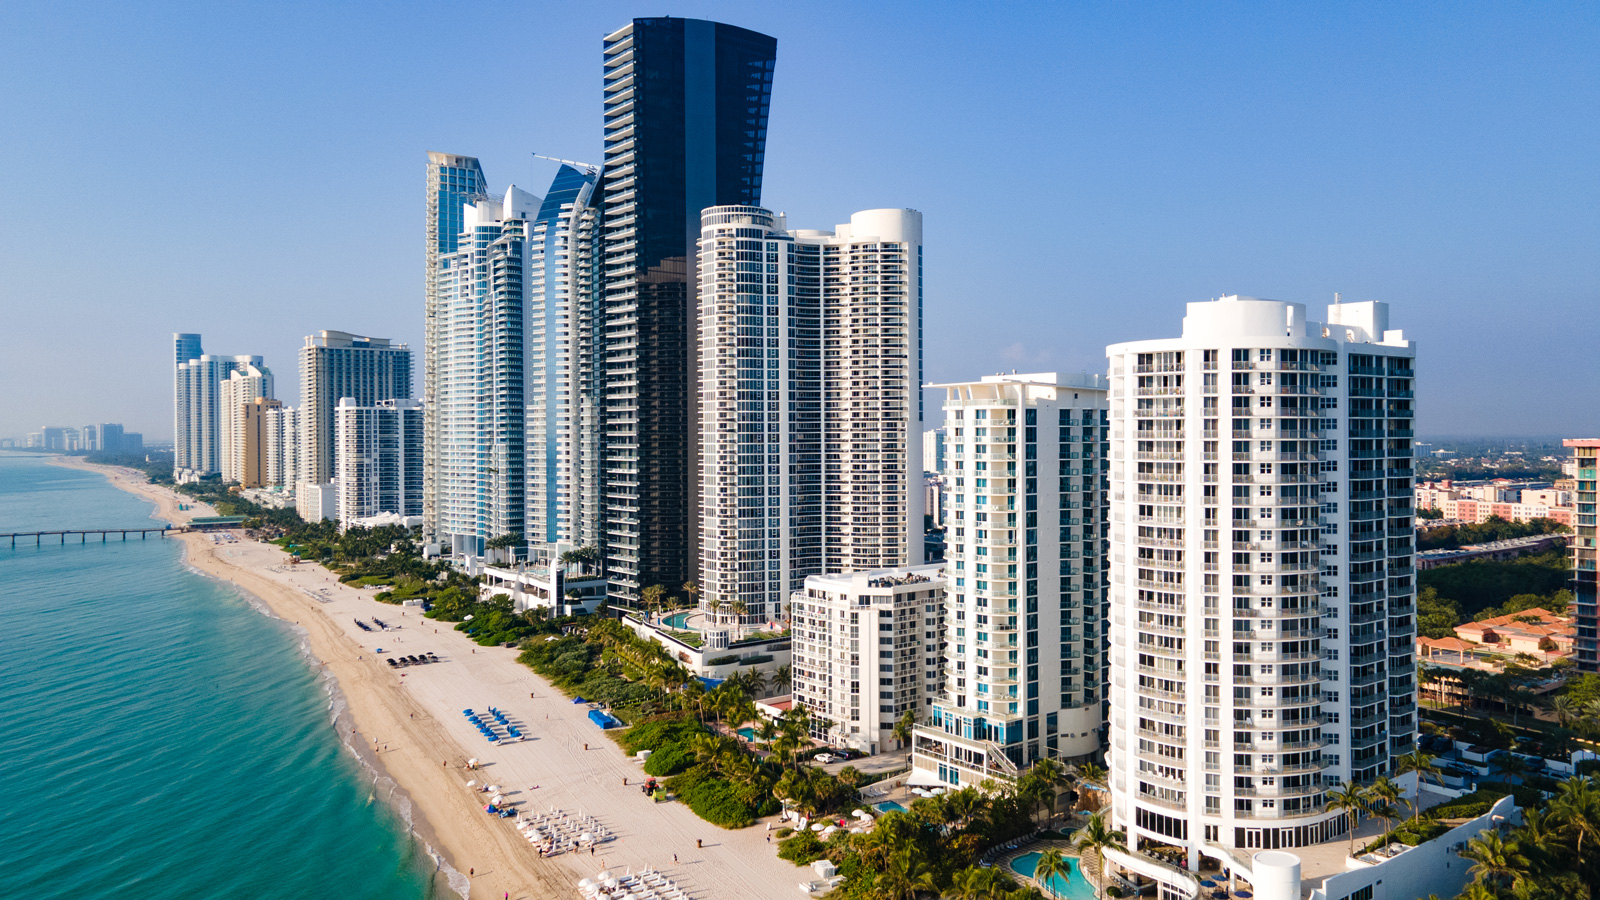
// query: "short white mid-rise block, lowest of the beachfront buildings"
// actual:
[[868, 651]]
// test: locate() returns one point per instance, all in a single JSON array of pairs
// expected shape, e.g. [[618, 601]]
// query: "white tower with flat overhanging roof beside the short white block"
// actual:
[[1025, 622]]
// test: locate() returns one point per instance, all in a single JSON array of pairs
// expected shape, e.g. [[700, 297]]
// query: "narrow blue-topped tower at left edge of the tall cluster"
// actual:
[[454, 183]]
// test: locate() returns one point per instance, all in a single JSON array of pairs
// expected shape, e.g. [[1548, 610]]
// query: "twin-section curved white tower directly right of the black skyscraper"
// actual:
[[810, 363]]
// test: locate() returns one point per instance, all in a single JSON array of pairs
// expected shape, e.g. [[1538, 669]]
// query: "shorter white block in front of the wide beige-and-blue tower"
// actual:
[[378, 457]]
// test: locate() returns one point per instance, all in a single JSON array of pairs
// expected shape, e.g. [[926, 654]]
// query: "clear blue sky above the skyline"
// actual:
[[257, 172]]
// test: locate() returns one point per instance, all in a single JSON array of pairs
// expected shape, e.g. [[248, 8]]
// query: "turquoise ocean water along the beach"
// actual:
[[162, 737]]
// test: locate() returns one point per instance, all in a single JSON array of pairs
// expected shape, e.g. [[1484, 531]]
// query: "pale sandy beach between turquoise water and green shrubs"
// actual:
[[412, 720]]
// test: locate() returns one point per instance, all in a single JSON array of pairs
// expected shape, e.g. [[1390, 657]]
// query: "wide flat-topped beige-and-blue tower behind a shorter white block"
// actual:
[[338, 364]]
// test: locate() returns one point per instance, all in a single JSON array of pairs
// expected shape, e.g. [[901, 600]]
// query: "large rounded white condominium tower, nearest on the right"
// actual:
[[1263, 598]]
